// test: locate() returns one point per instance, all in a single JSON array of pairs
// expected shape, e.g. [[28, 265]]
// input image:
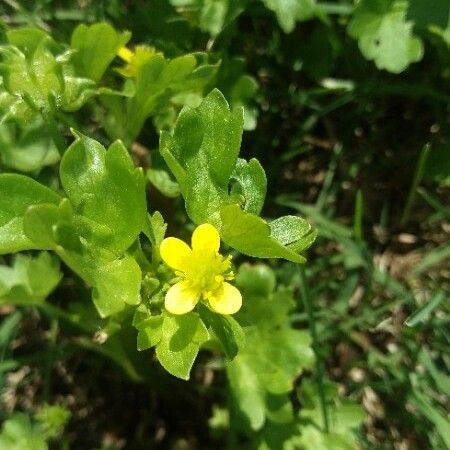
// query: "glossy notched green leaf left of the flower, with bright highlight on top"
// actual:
[[105, 188]]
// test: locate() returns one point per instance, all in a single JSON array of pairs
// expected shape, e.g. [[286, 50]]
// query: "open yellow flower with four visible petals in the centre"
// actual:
[[203, 272]]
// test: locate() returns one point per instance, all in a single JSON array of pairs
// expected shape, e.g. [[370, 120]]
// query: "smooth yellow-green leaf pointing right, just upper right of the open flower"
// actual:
[[250, 235]]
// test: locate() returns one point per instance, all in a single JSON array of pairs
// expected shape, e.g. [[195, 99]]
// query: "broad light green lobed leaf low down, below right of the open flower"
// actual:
[[262, 374]]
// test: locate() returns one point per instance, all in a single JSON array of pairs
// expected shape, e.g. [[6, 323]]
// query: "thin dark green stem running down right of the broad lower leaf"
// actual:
[[315, 344]]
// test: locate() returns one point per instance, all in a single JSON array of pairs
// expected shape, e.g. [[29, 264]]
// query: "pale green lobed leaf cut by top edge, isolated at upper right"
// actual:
[[385, 35]]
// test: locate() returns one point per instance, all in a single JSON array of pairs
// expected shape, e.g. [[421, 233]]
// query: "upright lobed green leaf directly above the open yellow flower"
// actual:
[[205, 145]]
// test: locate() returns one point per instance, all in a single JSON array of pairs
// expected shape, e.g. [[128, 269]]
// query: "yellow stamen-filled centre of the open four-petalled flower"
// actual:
[[207, 271]]
